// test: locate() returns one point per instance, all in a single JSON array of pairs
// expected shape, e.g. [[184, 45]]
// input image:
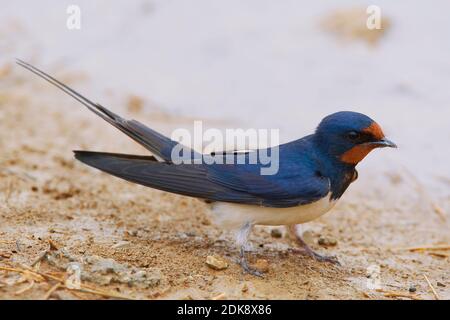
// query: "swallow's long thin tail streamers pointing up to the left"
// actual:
[[158, 144]]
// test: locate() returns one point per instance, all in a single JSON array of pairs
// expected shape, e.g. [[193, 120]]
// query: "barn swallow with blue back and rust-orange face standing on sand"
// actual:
[[313, 173]]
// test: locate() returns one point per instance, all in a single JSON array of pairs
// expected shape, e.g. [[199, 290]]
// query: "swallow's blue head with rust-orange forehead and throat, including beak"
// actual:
[[350, 136]]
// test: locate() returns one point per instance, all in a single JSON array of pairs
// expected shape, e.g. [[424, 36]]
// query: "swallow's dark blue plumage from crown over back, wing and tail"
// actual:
[[309, 168]]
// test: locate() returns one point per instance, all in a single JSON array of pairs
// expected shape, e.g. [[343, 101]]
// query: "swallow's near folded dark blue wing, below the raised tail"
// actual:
[[197, 180]]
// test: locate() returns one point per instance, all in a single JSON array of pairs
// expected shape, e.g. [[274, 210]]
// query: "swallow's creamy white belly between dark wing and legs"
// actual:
[[232, 216]]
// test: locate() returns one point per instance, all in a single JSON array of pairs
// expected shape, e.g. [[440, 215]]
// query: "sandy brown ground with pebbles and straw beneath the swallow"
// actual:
[[133, 242]]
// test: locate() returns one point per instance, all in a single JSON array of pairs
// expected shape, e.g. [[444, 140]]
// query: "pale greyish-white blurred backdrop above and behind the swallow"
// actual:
[[268, 64]]
